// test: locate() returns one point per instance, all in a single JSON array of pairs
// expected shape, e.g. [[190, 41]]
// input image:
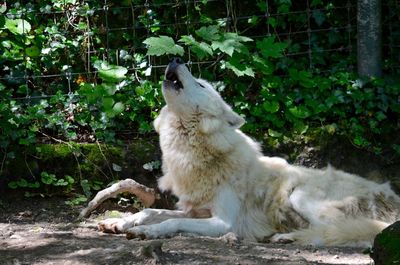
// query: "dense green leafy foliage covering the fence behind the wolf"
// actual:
[[91, 70]]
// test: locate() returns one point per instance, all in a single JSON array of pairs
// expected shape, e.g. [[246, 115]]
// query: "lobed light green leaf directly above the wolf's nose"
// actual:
[[162, 45]]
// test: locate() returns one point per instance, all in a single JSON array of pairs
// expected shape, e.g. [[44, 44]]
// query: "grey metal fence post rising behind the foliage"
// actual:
[[369, 38]]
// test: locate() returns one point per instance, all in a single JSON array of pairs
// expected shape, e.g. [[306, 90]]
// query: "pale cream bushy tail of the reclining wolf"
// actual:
[[346, 232]]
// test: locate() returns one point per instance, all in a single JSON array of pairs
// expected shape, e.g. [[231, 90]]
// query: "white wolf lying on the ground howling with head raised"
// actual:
[[225, 184]]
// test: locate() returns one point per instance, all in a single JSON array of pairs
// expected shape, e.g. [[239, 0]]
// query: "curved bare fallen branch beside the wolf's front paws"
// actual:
[[146, 195]]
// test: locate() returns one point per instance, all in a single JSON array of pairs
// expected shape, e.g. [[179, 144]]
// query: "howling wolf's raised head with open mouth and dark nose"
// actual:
[[188, 97]]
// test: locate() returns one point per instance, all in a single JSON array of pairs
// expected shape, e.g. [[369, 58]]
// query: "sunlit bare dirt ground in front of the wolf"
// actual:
[[45, 231]]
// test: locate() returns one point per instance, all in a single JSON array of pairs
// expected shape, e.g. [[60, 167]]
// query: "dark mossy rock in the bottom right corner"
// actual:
[[386, 248]]
